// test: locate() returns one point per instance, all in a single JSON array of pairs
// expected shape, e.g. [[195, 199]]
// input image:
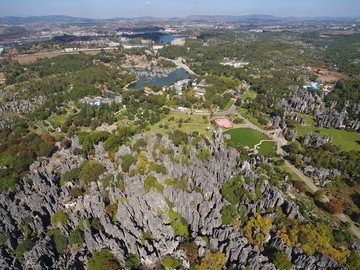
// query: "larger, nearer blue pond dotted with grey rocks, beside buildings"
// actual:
[[159, 80]]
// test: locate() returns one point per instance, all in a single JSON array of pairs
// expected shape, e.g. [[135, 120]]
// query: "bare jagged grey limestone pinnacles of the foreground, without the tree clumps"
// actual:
[[151, 221]]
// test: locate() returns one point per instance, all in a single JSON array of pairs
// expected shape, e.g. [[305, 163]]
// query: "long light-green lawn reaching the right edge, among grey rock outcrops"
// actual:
[[346, 140]]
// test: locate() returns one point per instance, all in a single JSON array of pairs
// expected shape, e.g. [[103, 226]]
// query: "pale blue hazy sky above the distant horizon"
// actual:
[[179, 8]]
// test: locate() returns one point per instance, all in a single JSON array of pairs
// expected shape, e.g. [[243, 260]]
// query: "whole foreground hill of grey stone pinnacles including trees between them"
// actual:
[[171, 197]]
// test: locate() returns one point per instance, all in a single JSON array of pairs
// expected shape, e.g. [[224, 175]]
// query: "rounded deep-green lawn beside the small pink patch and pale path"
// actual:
[[246, 137]]
